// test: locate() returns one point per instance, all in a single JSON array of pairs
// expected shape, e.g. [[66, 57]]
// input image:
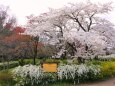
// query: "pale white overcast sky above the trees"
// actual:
[[23, 8]]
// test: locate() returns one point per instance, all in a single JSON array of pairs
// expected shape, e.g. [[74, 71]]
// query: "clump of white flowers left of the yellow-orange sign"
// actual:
[[32, 72]]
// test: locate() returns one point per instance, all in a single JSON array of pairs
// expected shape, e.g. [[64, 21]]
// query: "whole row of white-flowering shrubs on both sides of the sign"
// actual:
[[34, 75]]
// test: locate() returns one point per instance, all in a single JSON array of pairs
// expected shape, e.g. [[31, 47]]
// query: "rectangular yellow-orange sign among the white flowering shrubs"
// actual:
[[50, 67]]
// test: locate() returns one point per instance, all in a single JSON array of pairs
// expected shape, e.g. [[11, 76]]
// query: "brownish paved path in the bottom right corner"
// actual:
[[110, 82]]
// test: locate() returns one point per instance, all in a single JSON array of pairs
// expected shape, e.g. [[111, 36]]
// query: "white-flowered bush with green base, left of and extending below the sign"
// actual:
[[31, 75]]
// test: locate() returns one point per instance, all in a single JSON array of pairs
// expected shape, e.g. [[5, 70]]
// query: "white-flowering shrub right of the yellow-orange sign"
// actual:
[[78, 72]]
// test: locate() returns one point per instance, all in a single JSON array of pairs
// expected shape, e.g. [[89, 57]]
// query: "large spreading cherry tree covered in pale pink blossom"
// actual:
[[77, 29]]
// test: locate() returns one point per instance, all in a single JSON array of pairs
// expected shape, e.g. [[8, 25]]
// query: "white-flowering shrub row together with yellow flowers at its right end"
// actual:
[[31, 75]]
